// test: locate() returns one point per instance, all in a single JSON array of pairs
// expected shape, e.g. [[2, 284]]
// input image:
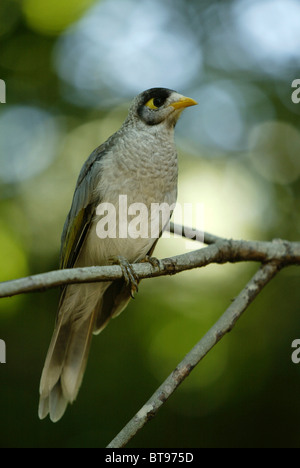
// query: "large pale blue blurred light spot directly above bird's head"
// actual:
[[150, 47]]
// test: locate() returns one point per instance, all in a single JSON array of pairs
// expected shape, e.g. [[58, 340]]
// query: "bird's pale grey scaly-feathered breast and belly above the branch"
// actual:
[[137, 192]]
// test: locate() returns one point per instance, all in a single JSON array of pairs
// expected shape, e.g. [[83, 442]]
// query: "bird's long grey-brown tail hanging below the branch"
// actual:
[[68, 352]]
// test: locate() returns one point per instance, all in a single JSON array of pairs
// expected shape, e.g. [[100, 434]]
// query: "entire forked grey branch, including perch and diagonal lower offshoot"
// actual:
[[272, 255]]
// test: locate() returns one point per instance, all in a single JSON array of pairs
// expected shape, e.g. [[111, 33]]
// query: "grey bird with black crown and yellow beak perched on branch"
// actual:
[[138, 162]]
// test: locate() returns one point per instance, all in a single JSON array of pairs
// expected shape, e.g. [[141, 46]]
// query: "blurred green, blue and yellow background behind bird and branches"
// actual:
[[71, 68]]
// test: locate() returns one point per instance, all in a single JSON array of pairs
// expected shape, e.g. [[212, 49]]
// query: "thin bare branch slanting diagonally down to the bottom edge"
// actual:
[[184, 368]]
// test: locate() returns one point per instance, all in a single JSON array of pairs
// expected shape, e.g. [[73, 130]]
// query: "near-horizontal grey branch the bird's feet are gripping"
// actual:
[[220, 251]]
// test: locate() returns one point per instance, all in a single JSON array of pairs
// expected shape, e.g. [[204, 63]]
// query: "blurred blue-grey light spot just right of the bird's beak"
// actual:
[[227, 112]]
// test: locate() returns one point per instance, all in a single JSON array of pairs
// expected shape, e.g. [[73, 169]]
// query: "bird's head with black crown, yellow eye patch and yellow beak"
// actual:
[[159, 106]]
